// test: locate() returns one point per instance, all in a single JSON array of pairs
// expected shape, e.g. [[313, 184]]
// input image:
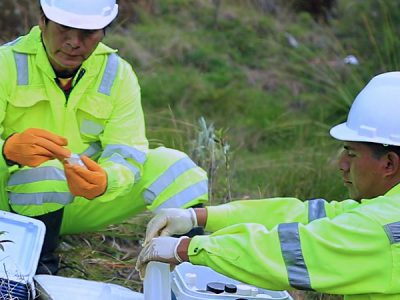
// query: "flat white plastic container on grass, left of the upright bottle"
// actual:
[[61, 288]]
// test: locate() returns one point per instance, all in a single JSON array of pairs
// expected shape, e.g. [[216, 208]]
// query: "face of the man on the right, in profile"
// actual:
[[363, 174]]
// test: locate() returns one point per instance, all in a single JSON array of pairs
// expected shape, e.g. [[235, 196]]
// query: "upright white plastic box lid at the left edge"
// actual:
[[20, 257]]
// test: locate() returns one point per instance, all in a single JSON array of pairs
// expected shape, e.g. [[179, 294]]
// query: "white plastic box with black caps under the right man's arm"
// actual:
[[205, 275]]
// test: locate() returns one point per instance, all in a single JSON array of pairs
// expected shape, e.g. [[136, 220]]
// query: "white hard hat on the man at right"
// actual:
[[375, 113]]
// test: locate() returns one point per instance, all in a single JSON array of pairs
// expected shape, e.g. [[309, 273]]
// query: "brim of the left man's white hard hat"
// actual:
[[78, 21]]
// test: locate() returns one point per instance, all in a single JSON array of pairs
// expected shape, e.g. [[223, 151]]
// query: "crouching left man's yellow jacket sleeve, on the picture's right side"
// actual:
[[123, 141]]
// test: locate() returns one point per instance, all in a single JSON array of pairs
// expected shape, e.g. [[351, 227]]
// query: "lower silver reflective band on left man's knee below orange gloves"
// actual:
[[40, 198]]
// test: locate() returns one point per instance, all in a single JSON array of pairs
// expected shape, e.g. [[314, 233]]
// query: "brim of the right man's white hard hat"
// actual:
[[342, 132]]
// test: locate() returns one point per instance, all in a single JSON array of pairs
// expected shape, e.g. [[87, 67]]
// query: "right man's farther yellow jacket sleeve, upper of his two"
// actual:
[[271, 212]]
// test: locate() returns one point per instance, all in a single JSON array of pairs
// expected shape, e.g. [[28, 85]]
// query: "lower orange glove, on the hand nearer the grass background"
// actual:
[[89, 183]]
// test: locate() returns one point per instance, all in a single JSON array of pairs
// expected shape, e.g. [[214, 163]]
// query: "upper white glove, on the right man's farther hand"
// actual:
[[171, 221]]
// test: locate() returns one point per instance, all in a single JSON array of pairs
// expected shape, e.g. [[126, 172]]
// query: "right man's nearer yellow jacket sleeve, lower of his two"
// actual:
[[349, 254]]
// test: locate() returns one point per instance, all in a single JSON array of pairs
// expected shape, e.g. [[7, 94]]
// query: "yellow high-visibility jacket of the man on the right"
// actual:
[[349, 248]]
